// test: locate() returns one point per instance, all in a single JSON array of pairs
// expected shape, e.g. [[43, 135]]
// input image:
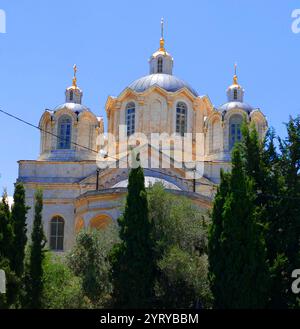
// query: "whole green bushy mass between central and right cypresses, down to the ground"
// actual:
[[180, 236]]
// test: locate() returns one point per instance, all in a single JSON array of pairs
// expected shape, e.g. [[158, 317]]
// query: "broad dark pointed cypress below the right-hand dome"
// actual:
[[239, 273]]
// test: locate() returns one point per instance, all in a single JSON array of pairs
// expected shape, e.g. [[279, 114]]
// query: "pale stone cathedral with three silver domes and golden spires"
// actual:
[[83, 170]]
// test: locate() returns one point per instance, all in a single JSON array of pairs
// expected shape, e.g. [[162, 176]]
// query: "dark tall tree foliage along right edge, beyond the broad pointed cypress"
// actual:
[[276, 180]]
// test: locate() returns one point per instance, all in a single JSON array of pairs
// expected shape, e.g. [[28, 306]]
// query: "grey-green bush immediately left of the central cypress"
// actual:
[[89, 260]]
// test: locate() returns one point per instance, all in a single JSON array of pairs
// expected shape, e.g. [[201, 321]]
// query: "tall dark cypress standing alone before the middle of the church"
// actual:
[[133, 260]]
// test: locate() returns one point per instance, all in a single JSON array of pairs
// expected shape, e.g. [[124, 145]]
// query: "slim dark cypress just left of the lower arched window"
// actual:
[[34, 271]]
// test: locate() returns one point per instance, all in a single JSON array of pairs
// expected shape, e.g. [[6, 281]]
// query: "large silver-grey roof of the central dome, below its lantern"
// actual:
[[165, 81]]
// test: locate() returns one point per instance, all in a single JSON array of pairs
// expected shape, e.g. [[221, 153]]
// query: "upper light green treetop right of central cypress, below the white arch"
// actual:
[[177, 221]]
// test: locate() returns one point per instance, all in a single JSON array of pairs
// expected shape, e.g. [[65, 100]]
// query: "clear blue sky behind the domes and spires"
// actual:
[[111, 42]]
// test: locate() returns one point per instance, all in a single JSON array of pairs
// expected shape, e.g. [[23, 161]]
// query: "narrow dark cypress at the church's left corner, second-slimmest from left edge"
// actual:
[[18, 217]]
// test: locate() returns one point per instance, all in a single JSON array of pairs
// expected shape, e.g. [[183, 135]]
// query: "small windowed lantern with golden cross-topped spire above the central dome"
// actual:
[[161, 61]]
